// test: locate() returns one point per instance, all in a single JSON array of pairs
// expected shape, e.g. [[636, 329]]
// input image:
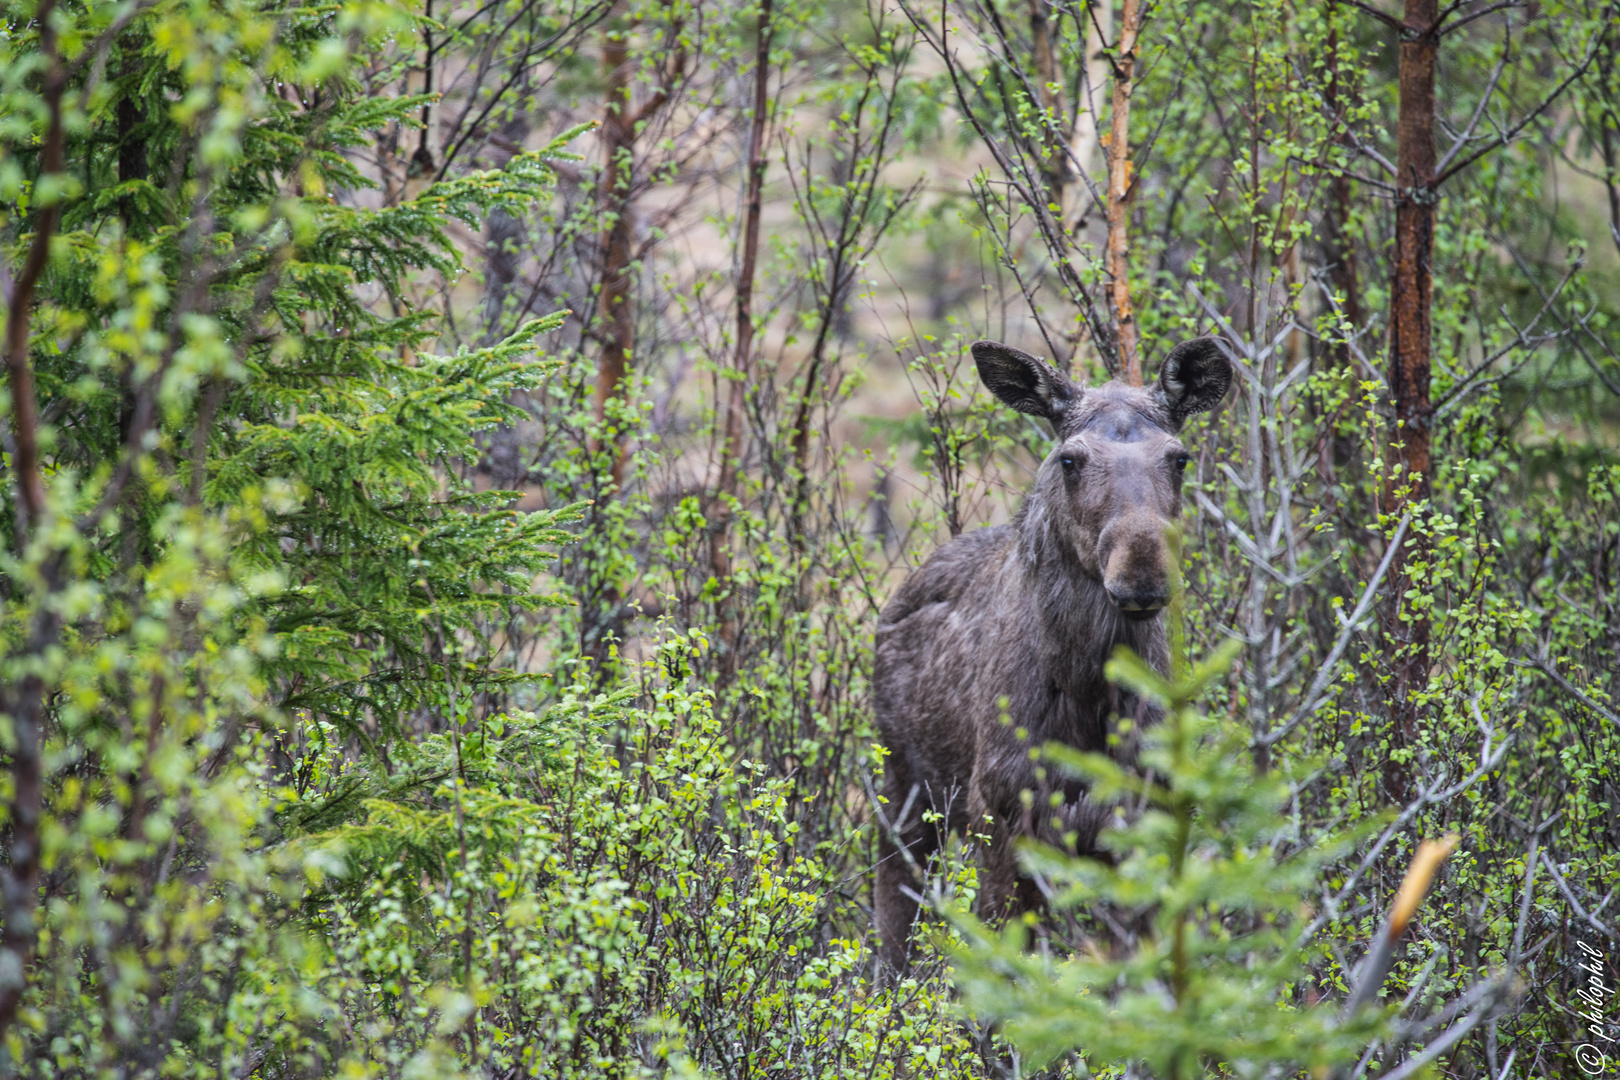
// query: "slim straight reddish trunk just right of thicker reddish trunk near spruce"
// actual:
[[738, 386]]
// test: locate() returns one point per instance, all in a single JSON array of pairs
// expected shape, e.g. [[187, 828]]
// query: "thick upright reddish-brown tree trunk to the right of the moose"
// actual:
[[1410, 342]]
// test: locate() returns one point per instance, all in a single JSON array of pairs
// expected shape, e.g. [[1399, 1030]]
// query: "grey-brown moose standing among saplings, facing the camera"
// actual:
[[999, 642]]
